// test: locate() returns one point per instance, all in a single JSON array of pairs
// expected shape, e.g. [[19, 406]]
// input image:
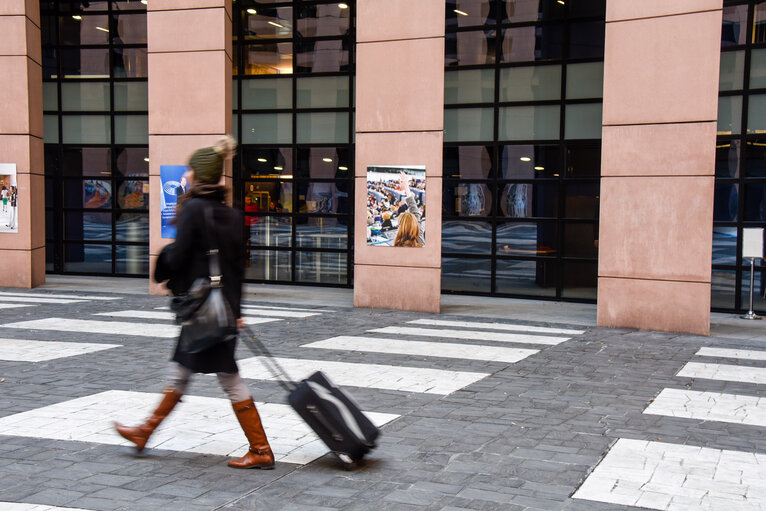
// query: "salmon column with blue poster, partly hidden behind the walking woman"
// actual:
[[190, 67]]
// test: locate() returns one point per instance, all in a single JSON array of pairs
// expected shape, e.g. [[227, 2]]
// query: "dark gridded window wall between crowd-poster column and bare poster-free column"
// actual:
[[522, 147]]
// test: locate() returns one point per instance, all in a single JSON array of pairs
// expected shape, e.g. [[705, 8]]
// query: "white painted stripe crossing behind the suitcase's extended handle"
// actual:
[[377, 376]]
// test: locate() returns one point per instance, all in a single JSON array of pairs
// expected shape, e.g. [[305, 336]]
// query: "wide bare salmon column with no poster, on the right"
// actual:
[[658, 164]]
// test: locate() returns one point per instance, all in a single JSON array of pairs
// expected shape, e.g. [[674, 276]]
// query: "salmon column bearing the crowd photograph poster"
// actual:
[[399, 121]]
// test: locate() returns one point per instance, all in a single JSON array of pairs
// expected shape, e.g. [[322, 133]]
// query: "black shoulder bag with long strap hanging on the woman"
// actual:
[[203, 312]]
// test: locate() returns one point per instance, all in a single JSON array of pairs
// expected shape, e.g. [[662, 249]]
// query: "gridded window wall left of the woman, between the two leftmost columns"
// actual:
[[96, 137]]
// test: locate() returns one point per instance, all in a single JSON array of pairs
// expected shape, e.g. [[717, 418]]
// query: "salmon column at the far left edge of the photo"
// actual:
[[21, 140]]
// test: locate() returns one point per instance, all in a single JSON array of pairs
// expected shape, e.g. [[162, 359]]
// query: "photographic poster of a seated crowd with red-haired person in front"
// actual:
[[396, 206]]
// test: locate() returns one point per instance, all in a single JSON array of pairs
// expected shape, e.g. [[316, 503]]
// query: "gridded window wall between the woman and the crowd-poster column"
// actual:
[[293, 116]]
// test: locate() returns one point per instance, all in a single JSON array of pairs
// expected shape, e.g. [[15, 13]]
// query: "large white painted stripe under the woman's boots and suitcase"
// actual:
[[202, 425]]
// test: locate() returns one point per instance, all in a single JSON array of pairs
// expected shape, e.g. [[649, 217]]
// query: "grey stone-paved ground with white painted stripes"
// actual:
[[492, 405]]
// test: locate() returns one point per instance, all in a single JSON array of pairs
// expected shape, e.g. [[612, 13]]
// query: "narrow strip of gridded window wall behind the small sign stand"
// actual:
[[740, 173]]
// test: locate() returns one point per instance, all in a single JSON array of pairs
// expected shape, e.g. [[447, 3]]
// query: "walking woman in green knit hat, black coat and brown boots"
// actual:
[[181, 263]]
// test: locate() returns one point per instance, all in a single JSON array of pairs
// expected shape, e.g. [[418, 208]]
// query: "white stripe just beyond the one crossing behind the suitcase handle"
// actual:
[[424, 349]]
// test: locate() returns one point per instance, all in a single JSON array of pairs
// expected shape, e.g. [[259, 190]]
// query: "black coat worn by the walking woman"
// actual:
[[185, 260]]
